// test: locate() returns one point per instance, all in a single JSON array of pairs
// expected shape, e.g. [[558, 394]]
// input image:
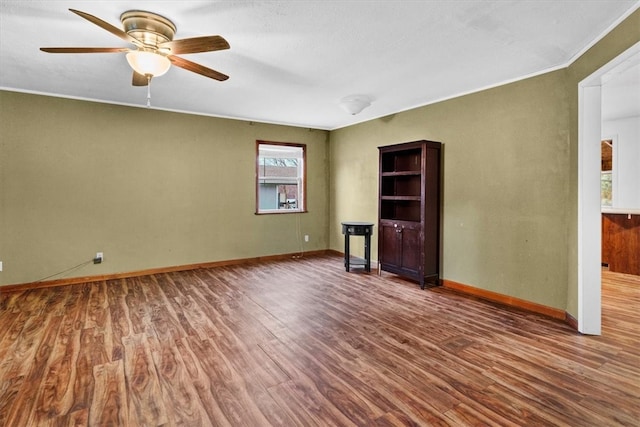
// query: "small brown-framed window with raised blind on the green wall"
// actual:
[[280, 177]]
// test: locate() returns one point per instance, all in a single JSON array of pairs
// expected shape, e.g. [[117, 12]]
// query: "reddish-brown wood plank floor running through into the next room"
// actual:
[[303, 343]]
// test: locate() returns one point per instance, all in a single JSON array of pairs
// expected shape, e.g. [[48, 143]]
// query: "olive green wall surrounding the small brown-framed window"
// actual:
[[148, 188]]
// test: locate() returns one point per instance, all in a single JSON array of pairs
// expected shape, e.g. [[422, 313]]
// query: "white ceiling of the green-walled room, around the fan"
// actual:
[[291, 62]]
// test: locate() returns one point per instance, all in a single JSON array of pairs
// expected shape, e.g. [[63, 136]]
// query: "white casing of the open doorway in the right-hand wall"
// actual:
[[589, 208]]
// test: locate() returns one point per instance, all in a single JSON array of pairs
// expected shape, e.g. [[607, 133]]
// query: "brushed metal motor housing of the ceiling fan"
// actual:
[[150, 28]]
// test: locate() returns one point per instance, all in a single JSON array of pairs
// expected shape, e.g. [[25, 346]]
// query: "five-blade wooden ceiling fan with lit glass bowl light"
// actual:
[[155, 50]]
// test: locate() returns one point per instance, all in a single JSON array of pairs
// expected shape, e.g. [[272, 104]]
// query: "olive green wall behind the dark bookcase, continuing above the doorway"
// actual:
[[510, 178]]
